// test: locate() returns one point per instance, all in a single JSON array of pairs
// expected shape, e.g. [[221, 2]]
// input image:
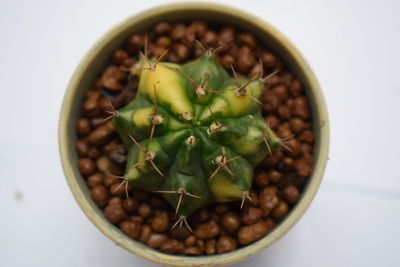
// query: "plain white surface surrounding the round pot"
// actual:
[[353, 46]]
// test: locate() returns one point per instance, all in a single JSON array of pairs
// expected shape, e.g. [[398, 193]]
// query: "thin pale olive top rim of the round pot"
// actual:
[[140, 249]]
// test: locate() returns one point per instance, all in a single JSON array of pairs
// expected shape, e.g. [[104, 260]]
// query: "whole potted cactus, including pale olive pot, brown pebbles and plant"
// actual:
[[208, 107]]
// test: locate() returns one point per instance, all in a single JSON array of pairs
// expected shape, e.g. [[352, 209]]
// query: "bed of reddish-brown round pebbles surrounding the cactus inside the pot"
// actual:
[[221, 227]]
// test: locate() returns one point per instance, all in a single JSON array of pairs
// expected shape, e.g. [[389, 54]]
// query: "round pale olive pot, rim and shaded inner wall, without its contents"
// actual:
[[100, 53]]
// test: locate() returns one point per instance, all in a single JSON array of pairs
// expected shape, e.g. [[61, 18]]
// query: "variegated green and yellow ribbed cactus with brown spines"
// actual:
[[194, 133]]
